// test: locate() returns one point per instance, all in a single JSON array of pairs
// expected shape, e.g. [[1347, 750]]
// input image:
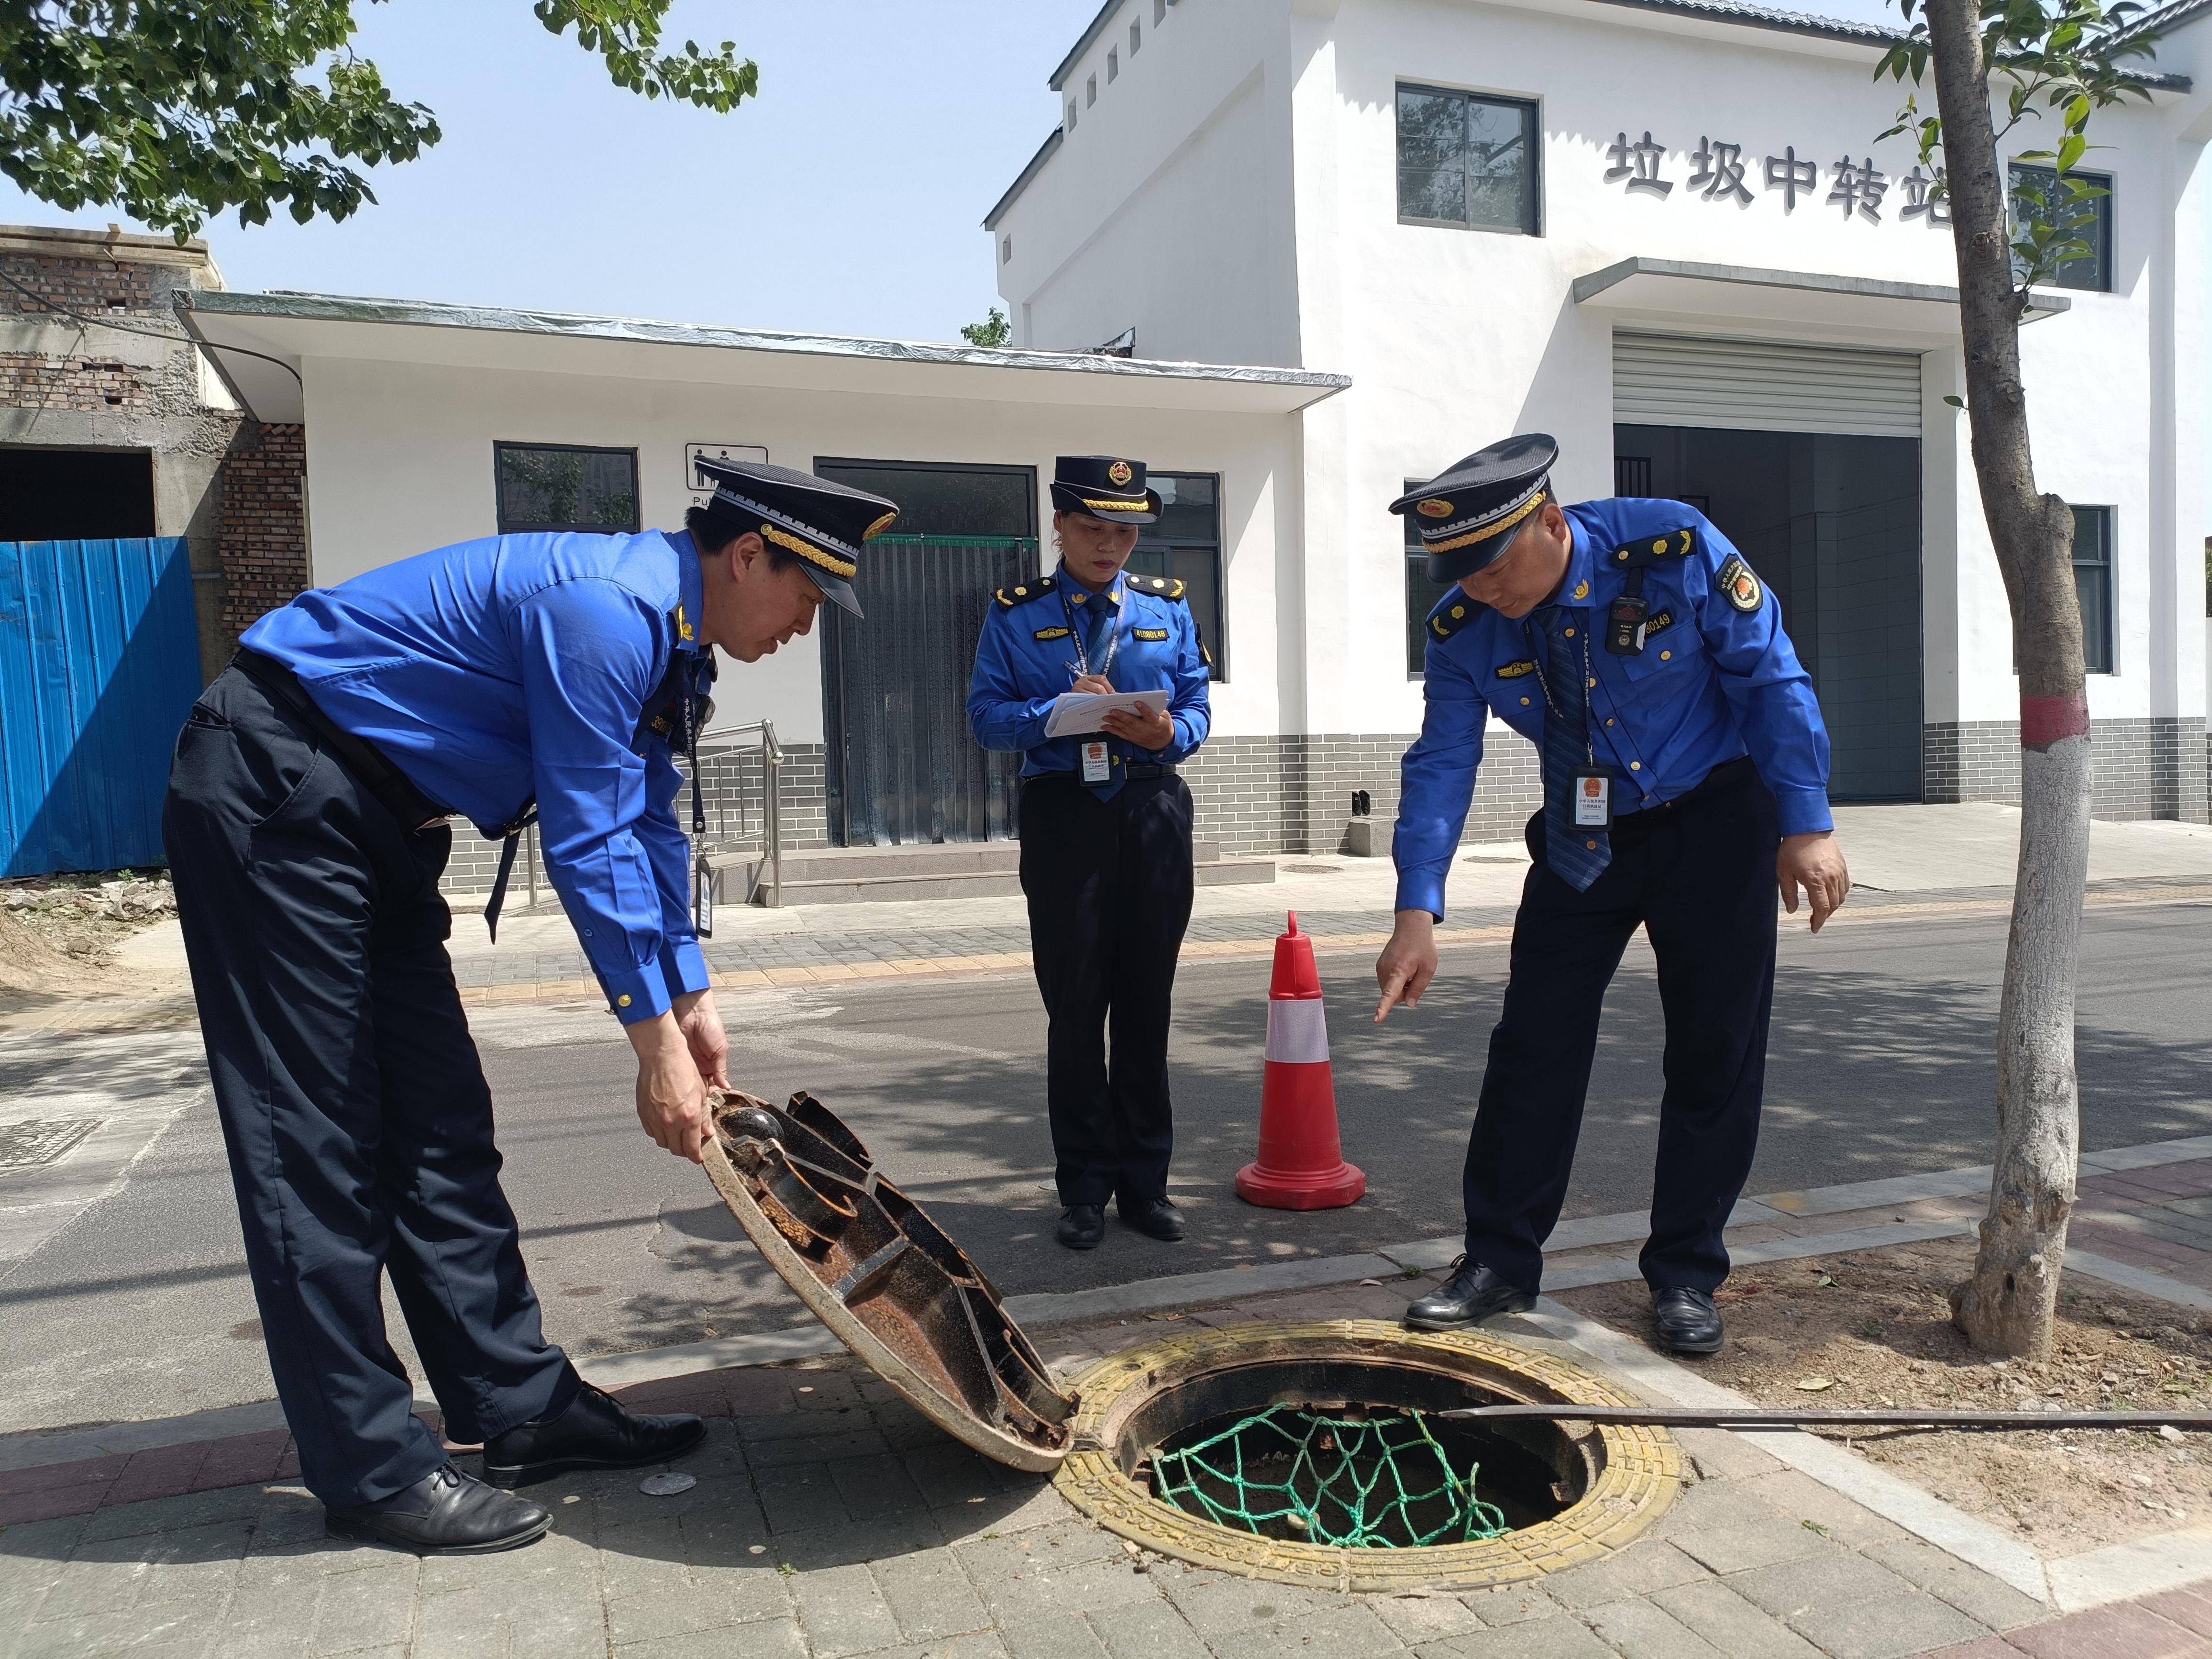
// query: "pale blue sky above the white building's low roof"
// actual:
[[848, 198]]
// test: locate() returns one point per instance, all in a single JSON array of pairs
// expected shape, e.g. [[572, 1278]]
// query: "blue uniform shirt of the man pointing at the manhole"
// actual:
[[1718, 680]]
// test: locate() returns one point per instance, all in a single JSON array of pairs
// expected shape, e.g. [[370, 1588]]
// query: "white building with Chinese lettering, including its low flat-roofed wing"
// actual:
[[1348, 242]]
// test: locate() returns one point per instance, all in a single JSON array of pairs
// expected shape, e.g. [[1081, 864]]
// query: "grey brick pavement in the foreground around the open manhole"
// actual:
[[831, 1521]]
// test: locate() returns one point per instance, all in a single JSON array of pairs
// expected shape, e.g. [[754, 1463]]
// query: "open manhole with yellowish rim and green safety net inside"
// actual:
[[1311, 1454]]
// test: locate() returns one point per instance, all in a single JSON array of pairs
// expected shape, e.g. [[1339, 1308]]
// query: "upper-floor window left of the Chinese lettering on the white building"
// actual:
[[1468, 160]]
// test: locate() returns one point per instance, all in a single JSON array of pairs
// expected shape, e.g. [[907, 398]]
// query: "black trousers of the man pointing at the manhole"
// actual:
[[1700, 877]]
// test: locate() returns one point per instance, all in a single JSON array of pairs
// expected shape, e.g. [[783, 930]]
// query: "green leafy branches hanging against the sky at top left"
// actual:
[[176, 112]]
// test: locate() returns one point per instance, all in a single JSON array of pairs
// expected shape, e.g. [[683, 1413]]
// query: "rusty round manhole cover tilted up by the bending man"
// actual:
[[884, 1277]]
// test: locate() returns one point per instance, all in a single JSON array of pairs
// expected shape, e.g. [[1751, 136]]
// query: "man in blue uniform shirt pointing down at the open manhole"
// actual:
[[1684, 782]]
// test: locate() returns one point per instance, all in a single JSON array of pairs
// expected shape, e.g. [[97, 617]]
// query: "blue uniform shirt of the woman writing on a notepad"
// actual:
[[1027, 647]]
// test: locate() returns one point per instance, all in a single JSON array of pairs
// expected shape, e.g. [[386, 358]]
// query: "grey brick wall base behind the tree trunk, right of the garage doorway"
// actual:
[[2145, 769]]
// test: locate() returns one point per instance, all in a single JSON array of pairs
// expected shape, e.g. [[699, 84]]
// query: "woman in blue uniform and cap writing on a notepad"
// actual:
[[1105, 835]]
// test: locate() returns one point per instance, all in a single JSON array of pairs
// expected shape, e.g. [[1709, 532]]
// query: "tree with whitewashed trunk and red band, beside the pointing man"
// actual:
[[1996, 65]]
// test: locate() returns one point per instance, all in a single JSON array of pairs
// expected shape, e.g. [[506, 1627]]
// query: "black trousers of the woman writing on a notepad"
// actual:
[[1109, 899]]
